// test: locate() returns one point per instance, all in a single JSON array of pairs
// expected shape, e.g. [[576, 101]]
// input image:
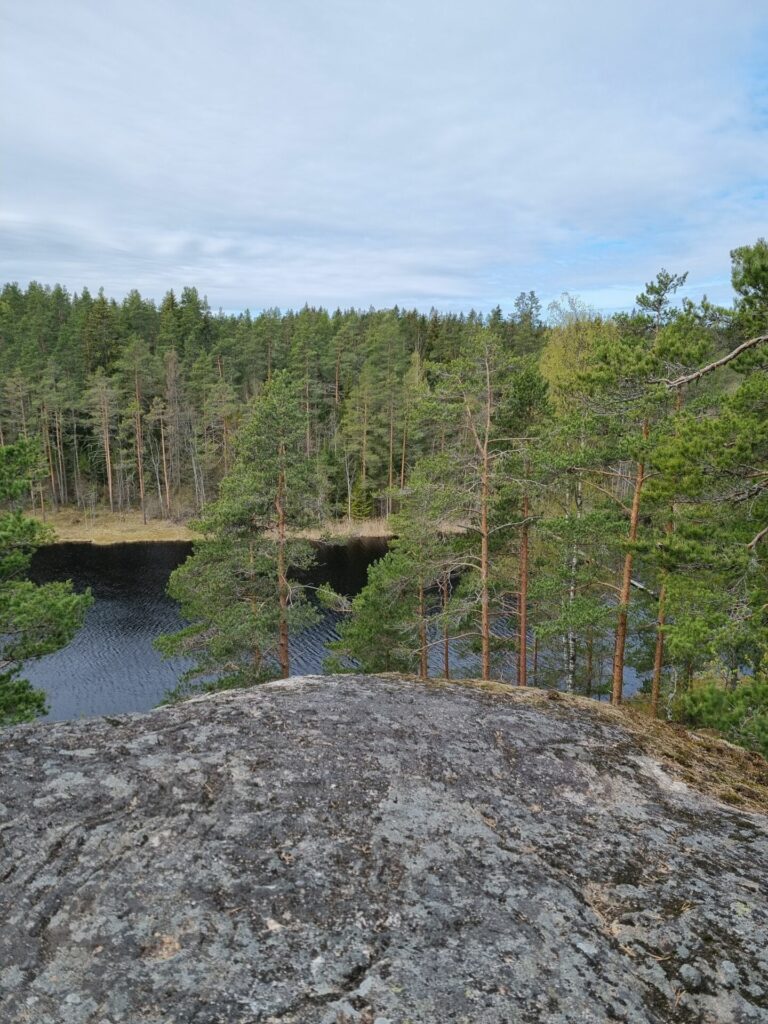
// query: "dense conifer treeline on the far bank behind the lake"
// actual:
[[137, 407]]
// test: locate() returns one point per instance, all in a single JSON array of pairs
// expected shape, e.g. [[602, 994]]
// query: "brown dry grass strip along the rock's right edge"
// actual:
[[702, 760]]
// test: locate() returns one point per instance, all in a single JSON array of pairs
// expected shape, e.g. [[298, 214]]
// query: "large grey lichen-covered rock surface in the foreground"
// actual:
[[373, 850]]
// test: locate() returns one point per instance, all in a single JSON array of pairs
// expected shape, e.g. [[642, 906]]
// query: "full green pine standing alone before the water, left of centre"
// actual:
[[239, 589]]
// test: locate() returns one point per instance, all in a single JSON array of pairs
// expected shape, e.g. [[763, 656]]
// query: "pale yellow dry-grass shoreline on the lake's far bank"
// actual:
[[103, 528]]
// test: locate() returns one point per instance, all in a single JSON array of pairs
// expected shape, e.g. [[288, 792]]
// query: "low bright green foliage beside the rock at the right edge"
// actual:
[[741, 714]]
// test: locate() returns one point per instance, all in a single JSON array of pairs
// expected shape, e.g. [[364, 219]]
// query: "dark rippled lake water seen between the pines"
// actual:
[[112, 667]]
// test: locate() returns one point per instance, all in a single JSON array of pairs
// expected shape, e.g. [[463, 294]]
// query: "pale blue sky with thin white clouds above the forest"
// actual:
[[358, 153]]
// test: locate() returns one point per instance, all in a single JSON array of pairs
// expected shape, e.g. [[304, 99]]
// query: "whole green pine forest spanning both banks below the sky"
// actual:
[[571, 496]]
